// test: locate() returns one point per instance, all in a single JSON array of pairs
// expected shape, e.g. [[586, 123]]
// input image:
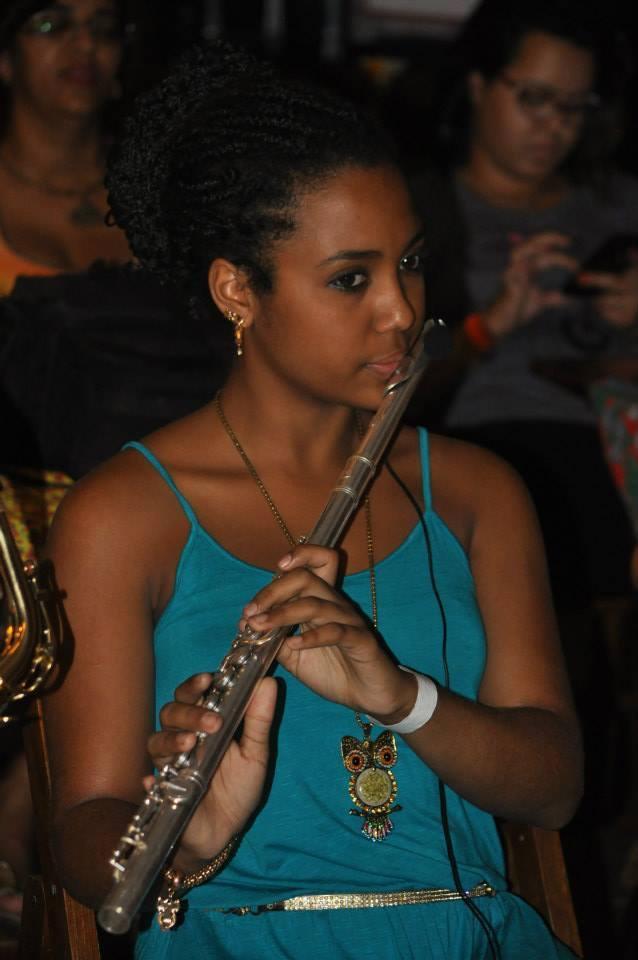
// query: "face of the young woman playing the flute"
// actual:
[[348, 297]]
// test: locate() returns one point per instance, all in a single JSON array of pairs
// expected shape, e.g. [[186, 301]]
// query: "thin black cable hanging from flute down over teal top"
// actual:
[[488, 929]]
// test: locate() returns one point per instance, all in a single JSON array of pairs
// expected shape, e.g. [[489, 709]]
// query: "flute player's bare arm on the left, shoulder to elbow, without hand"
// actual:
[[99, 719]]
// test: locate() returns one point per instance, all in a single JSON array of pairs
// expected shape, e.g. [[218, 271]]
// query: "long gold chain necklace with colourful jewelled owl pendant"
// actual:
[[372, 785]]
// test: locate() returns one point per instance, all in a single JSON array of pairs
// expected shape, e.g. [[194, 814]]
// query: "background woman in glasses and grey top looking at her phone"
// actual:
[[526, 196]]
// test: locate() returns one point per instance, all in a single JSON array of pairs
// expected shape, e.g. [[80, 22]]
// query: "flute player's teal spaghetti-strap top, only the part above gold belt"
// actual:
[[303, 840]]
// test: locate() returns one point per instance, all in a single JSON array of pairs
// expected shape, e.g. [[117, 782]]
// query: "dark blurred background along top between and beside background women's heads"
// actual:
[[391, 53]]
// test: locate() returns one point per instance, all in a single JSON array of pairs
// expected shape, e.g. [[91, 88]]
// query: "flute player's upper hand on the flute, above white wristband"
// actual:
[[337, 654]]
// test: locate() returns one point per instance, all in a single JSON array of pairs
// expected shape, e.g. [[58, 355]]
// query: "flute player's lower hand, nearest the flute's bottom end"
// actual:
[[237, 785]]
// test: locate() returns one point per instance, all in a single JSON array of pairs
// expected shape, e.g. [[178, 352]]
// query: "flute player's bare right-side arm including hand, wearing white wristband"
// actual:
[[516, 752]]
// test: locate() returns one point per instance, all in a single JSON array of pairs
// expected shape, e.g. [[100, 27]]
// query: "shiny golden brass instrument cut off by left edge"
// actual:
[[30, 625]]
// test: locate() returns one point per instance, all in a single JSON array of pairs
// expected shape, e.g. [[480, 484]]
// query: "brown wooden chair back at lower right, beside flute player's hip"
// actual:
[[536, 870]]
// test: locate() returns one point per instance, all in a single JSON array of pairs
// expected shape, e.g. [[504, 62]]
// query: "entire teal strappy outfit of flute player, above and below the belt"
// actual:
[[302, 839]]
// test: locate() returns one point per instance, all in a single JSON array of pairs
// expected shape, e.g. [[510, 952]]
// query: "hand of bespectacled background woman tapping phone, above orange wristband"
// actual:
[[520, 297]]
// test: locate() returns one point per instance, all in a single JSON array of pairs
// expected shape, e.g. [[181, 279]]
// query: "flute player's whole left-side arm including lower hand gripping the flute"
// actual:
[[115, 544]]
